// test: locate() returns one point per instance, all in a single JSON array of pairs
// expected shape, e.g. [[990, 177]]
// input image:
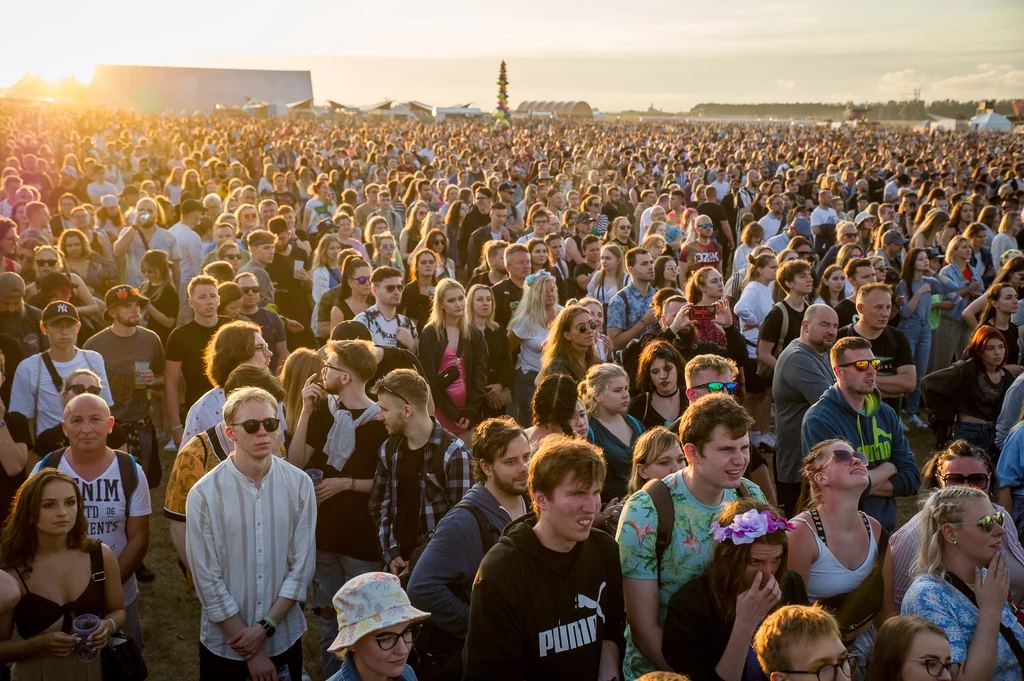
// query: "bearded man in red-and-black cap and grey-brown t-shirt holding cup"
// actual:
[[134, 358]]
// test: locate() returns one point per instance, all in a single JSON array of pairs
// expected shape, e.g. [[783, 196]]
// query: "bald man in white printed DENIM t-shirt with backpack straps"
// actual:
[[114, 491]]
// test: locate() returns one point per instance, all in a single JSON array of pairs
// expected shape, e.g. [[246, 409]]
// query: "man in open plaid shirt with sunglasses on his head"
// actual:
[[422, 471]]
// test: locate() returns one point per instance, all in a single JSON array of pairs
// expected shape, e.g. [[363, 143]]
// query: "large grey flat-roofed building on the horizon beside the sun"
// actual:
[[175, 89]]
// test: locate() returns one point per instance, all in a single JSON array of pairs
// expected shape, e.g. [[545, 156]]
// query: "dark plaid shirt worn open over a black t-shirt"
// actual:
[[434, 504]]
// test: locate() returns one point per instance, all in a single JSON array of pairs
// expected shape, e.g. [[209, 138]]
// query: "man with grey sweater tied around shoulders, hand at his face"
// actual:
[[339, 435]]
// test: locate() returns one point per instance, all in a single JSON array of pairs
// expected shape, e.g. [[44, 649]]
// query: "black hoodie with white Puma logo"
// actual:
[[538, 614]]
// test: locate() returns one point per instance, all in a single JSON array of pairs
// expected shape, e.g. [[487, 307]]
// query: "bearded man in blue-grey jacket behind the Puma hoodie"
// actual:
[[443, 579]]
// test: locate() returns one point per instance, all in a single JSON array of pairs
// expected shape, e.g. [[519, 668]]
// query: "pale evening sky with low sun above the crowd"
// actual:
[[668, 54]]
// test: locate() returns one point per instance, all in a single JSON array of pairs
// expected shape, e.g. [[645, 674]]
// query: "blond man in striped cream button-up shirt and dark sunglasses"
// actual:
[[250, 542]]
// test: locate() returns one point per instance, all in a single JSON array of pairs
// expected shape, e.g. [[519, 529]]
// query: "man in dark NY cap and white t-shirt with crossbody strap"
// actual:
[[39, 379]]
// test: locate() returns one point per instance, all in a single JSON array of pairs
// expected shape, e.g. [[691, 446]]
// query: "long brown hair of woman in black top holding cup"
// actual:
[[20, 539]]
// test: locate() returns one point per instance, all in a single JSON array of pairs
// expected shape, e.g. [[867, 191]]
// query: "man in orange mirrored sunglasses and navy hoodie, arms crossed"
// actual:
[[855, 411]]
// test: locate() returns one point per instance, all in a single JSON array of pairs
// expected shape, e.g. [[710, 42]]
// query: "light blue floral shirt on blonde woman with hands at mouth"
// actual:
[[941, 603]]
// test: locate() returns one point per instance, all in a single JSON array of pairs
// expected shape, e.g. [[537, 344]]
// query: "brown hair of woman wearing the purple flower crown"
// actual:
[[729, 561]]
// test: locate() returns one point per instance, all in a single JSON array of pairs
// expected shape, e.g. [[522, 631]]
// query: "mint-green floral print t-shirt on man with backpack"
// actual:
[[686, 559]]
